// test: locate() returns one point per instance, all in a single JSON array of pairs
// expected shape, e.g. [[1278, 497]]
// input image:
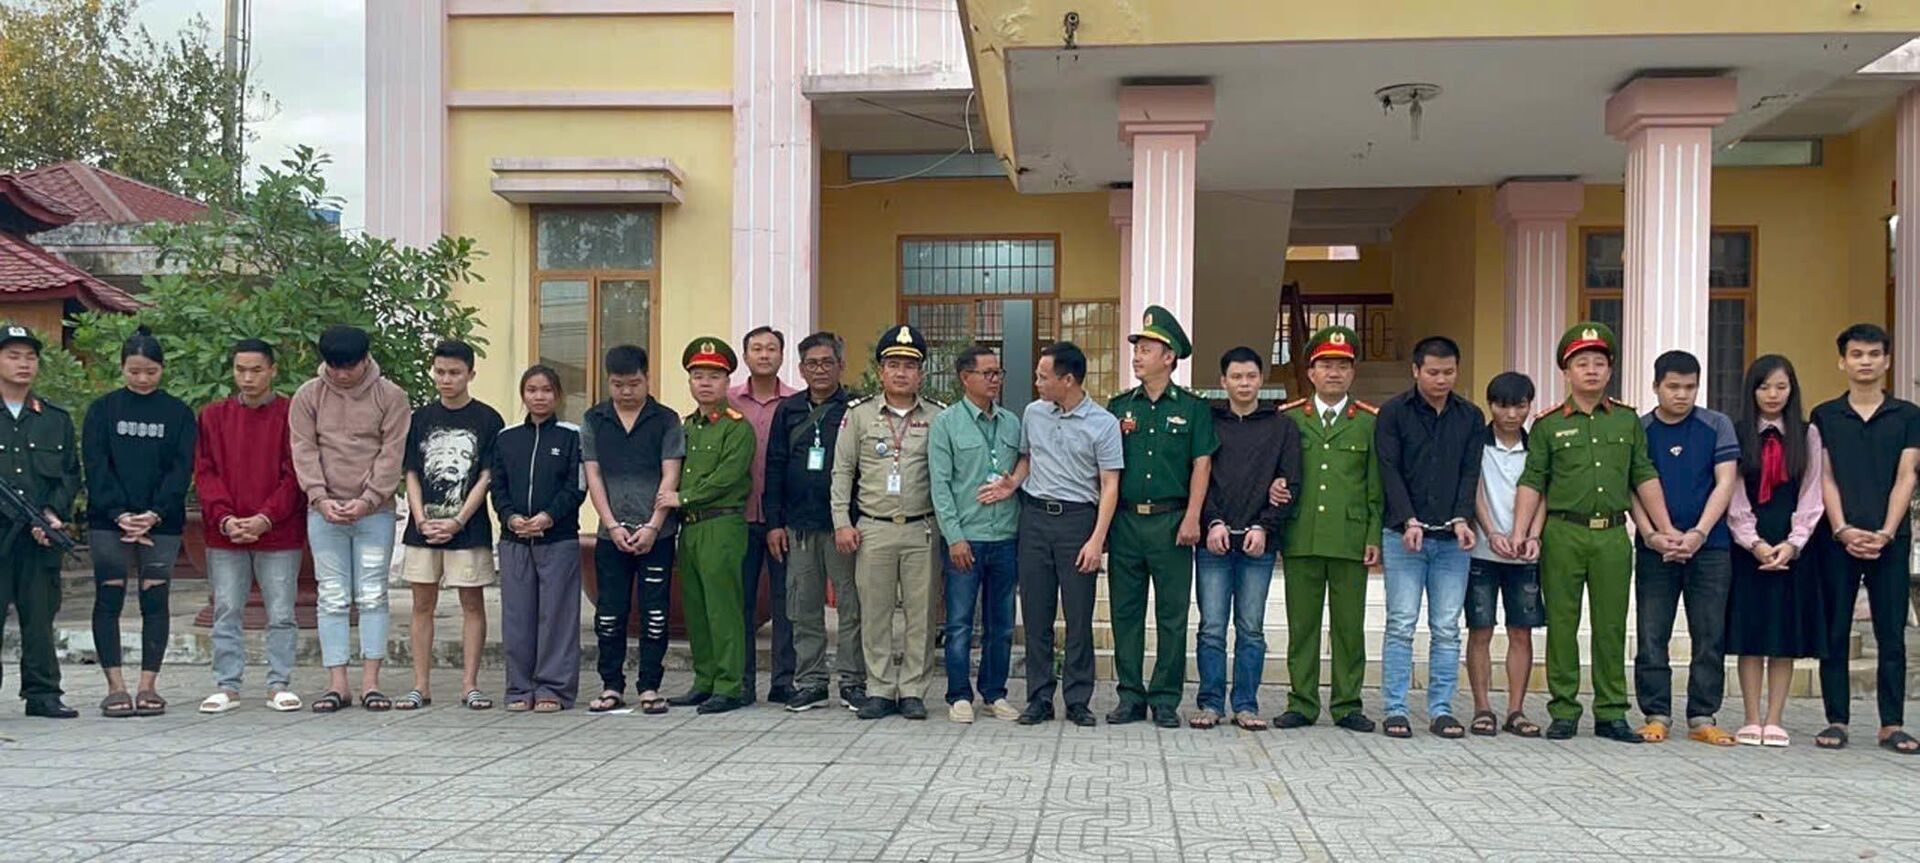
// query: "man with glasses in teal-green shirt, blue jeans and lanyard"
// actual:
[[972, 455]]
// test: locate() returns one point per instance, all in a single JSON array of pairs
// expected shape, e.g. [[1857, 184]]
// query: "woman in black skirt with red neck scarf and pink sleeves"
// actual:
[[1775, 604]]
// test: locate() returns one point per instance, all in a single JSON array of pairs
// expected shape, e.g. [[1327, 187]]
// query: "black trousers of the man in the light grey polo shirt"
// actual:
[[1051, 583]]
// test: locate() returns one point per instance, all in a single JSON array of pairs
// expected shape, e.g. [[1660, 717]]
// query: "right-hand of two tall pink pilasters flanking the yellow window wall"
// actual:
[[775, 176]]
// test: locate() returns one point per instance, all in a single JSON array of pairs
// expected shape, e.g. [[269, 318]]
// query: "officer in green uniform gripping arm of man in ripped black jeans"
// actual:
[[713, 539]]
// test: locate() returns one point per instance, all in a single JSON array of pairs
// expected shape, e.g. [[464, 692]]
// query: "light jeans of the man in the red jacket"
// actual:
[[231, 574]]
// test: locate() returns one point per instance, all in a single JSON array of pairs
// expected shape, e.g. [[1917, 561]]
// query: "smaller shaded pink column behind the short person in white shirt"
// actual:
[[1535, 216]]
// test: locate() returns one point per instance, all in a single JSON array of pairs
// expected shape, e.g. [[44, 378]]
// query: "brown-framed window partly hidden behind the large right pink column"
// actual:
[[1731, 289]]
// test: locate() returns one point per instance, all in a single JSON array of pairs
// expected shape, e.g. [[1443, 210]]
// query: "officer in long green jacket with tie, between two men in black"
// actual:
[[1332, 537]]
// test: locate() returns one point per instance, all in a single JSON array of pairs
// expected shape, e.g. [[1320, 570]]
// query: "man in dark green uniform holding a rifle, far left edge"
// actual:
[[39, 460]]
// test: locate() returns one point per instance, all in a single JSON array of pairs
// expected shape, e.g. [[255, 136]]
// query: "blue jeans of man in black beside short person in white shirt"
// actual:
[[1437, 572]]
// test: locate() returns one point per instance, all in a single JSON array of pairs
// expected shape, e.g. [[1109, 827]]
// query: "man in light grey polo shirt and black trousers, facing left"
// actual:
[[1070, 460]]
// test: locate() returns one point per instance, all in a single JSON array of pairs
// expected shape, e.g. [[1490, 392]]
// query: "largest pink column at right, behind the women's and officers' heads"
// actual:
[[1668, 126]]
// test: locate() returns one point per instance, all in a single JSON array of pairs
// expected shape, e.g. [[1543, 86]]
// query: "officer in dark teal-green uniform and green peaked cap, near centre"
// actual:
[[1168, 441]]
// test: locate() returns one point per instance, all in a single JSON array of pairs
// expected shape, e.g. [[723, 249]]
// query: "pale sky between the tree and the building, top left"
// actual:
[[310, 57]]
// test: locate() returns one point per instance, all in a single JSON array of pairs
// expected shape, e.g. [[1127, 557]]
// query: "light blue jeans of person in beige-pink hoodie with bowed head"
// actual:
[[350, 566]]
